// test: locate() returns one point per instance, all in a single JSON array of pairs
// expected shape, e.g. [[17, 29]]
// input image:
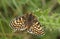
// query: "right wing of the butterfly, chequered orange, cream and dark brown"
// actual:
[[36, 29]]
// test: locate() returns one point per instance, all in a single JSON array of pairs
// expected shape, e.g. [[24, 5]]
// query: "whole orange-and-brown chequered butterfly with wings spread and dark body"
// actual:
[[29, 23]]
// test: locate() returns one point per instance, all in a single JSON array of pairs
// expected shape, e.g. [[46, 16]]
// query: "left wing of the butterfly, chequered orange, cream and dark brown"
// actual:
[[18, 24]]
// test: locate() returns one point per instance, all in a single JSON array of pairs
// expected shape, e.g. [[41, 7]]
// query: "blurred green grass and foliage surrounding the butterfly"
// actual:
[[47, 11]]
